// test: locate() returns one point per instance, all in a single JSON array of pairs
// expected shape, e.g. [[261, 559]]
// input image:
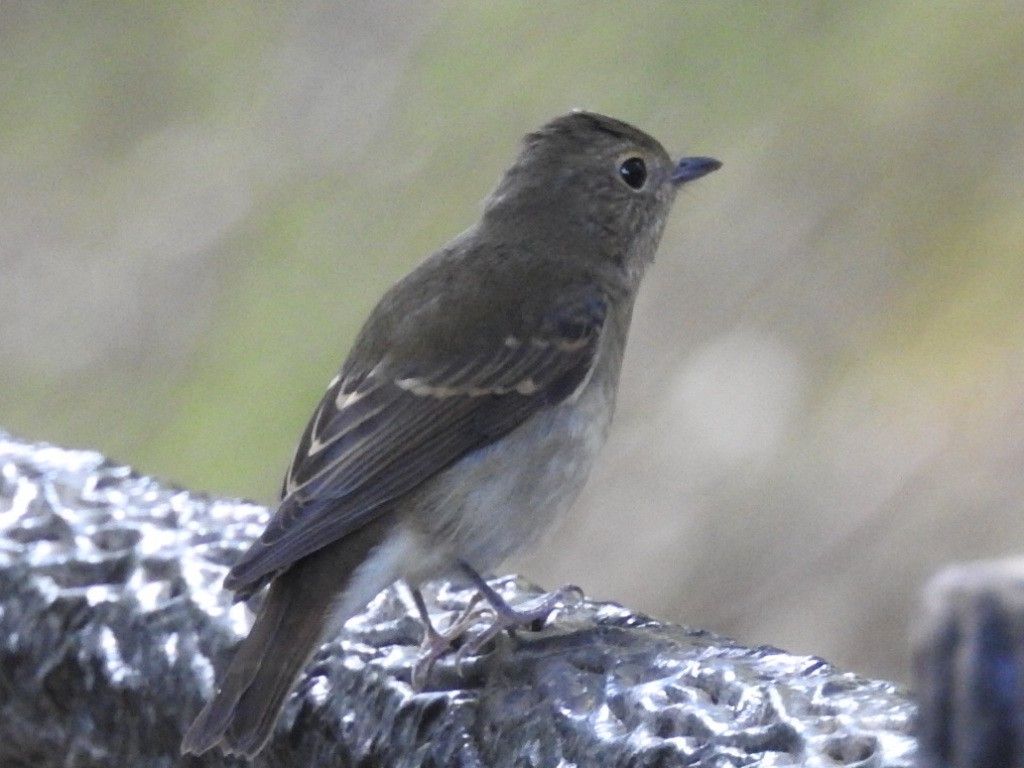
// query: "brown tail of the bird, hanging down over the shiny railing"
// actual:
[[300, 608]]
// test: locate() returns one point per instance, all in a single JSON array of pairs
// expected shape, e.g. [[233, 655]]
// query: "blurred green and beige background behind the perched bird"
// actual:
[[824, 398]]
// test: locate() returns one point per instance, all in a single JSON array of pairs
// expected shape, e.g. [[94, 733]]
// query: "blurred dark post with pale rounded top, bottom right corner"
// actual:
[[969, 665]]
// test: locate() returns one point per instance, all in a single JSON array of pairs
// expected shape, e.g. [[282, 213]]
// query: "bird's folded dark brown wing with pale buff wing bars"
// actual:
[[378, 434]]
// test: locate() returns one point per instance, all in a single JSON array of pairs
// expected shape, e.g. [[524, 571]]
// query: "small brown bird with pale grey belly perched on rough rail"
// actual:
[[467, 415]]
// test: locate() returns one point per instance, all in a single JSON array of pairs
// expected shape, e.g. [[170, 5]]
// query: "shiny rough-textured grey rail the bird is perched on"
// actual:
[[113, 624]]
